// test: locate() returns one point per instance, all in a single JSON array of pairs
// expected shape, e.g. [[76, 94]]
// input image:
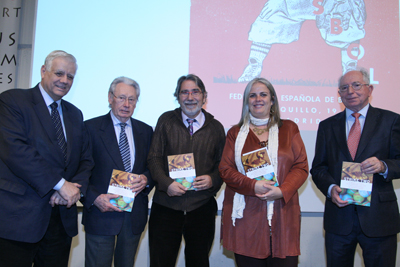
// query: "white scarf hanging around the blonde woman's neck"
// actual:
[[239, 202]]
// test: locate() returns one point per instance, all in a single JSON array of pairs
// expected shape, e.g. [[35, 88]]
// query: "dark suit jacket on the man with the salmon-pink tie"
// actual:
[[380, 138]]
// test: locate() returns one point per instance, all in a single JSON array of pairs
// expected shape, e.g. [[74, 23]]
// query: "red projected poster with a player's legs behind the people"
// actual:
[[309, 41]]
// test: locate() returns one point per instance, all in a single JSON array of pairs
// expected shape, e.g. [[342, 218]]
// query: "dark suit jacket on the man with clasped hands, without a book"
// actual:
[[31, 163]]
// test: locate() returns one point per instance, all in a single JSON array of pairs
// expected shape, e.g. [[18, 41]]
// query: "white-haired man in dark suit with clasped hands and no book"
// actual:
[[45, 164]]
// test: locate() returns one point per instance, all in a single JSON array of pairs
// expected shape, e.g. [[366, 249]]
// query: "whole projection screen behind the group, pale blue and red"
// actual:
[[301, 46]]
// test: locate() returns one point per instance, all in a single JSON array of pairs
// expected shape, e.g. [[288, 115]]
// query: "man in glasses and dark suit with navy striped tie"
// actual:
[[103, 221]]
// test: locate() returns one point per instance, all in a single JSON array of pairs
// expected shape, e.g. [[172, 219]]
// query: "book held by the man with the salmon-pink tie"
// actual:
[[356, 185]]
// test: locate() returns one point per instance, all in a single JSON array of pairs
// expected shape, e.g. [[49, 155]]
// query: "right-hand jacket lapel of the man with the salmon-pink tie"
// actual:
[[370, 126]]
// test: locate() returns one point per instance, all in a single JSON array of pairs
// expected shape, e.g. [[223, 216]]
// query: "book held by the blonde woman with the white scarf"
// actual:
[[257, 165]]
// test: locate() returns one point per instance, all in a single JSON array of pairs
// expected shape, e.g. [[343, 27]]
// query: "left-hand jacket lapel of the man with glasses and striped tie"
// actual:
[[107, 135]]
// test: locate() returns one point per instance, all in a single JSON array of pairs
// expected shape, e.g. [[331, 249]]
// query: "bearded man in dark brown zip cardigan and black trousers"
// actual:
[[176, 210]]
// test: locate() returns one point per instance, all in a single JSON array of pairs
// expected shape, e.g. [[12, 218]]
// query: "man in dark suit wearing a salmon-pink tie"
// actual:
[[375, 228]]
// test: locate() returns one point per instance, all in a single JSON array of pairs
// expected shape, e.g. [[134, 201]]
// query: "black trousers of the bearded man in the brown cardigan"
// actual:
[[167, 226]]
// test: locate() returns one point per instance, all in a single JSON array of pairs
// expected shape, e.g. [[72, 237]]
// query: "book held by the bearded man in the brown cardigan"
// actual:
[[182, 169]]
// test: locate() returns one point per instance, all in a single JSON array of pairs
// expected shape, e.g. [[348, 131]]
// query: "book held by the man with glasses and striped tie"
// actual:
[[120, 184]]
